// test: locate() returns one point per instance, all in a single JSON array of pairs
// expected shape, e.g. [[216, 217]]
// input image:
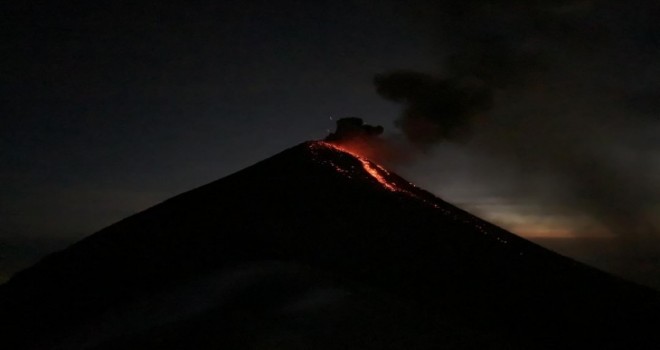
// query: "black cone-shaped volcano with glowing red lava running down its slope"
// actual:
[[317, 248]]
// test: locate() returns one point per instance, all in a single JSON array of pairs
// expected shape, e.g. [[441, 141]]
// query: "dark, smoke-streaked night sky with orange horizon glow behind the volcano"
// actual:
[[109, 109]]
